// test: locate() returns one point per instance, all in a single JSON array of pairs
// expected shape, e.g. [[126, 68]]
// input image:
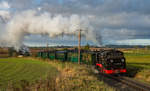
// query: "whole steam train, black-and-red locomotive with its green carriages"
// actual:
[[106, 61]]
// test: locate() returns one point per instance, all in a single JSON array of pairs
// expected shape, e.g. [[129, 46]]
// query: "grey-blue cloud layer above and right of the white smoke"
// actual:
[[113, 20]]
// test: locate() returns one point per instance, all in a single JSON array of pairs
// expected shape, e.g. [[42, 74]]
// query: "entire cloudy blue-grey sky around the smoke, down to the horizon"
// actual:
[[118, 22]]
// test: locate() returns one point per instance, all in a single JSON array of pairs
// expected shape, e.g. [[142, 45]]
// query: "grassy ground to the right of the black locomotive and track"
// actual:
[[138, 64]]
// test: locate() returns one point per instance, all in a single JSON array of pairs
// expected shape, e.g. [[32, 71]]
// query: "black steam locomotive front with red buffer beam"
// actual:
[[111, 62]]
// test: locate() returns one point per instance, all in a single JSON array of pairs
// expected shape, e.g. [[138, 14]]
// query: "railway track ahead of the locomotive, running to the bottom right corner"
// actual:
[[138, 86]]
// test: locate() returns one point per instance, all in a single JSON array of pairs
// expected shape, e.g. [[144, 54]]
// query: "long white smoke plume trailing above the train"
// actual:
[[31, 22]]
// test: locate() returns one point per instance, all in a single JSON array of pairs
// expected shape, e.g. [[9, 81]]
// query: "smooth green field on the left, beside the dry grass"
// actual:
[[15, 70]]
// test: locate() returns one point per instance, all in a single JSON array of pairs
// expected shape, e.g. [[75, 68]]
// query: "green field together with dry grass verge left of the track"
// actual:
[[34, 74]]
